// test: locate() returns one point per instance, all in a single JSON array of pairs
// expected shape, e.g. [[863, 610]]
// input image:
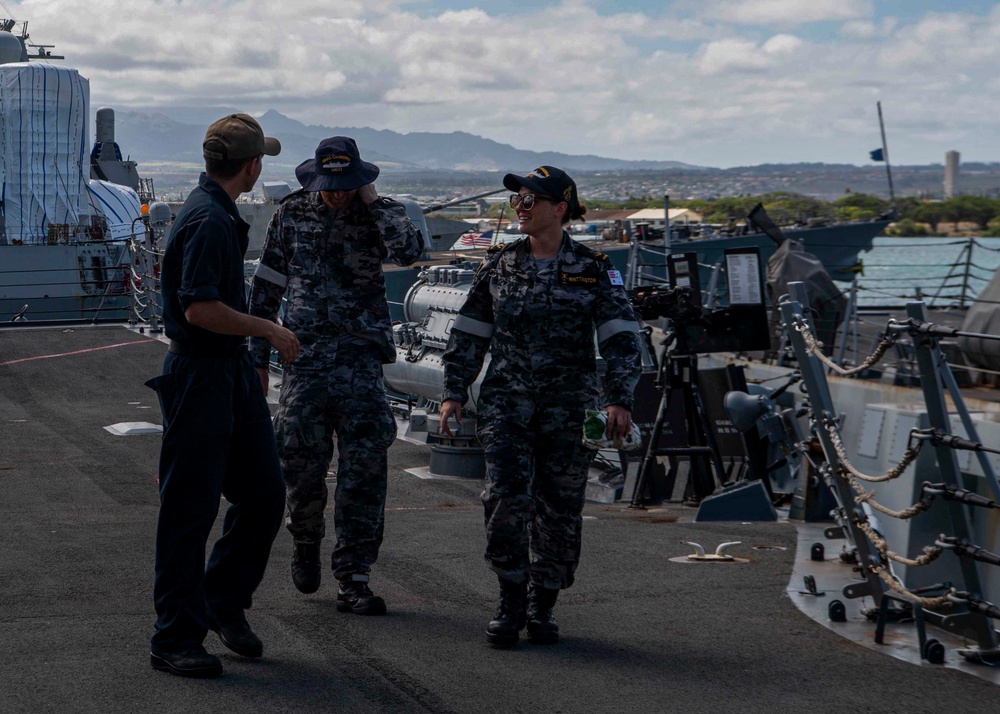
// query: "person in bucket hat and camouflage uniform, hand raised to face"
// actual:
[[324, 251]]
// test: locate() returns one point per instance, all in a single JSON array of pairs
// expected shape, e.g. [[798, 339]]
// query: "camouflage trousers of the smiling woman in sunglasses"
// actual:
[[536, 478]]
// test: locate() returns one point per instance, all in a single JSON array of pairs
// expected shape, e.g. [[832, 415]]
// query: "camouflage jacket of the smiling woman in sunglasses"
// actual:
[[539, 328]]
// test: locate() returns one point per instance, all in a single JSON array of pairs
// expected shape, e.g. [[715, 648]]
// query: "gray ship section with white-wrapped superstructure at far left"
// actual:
[[66, 212]]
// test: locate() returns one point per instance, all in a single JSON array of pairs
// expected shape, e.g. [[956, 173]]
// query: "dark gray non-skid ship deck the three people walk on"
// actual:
[[640, 632]]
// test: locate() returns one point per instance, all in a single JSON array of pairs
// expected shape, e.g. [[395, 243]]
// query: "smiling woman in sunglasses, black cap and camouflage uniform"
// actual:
[[534, 305]]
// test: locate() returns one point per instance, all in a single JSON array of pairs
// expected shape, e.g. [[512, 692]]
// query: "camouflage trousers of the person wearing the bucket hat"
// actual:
[[347, 400]]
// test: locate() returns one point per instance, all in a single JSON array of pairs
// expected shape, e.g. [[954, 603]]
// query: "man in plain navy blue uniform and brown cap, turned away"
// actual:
[[217, 435]]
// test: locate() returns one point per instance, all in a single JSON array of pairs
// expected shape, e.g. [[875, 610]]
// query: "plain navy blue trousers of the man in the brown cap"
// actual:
[[217, 441]]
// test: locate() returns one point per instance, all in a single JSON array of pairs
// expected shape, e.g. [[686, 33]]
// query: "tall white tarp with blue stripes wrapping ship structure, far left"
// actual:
[[43, 141]]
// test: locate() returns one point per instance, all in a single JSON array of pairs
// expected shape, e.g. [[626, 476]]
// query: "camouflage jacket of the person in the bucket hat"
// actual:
[[328, 264]]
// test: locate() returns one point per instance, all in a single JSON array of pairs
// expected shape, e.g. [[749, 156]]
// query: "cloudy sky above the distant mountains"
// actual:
[[708, 82]]
